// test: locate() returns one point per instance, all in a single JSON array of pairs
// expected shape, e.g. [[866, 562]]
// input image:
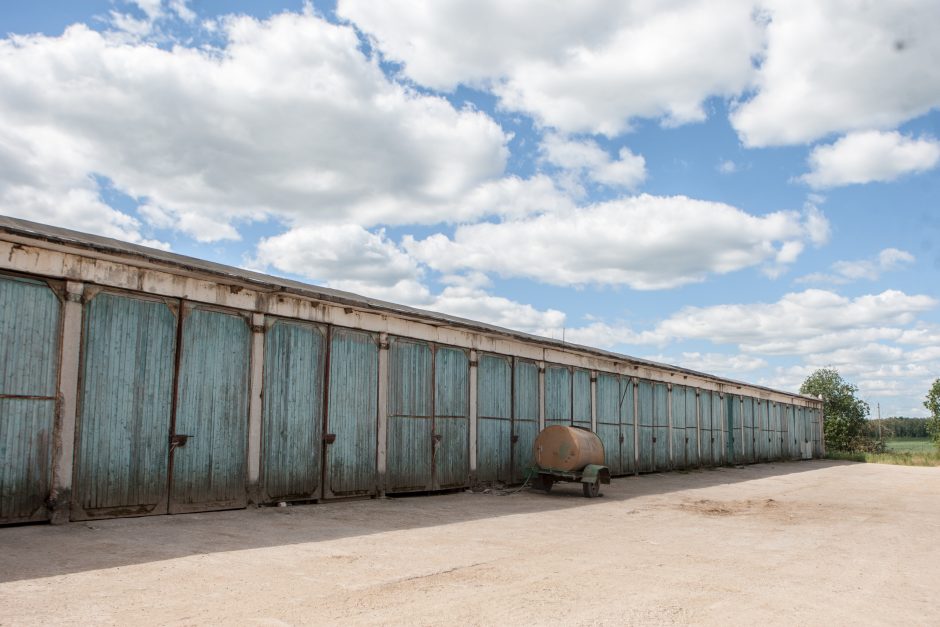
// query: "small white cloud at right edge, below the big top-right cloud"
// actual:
[[870, 156]]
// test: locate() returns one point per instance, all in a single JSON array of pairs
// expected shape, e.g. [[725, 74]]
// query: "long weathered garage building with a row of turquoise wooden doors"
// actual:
[[137, 382]]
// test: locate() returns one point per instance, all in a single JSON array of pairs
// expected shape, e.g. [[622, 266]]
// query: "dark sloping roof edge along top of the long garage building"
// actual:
[[58, 235]]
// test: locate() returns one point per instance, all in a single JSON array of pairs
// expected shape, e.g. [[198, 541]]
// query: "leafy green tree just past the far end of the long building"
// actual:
[[844, 426]]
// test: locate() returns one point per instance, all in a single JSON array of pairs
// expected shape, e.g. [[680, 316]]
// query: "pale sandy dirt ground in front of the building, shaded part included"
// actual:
[[792, 543]]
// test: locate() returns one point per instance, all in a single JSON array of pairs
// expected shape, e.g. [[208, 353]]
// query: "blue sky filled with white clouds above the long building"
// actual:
[[743, 188]]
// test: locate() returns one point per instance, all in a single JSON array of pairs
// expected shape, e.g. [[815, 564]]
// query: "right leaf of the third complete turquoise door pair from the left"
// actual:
[[451, 418]]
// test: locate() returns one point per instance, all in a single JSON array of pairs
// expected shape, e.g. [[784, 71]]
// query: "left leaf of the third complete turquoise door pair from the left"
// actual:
[[410, 424]]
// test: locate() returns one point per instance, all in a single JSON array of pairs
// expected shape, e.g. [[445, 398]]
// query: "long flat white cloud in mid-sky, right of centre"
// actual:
[[646, 242]]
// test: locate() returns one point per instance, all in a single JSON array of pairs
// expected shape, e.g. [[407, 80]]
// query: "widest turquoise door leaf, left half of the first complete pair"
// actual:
[[125, 407]]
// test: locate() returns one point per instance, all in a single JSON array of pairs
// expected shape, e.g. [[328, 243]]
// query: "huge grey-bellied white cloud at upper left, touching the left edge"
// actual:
[[289, 119]]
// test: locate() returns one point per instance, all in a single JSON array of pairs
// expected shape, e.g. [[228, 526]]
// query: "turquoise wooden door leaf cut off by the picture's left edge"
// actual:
[[29, 358]]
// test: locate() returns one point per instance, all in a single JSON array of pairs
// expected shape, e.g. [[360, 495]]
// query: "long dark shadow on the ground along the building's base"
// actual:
[[35, 551]]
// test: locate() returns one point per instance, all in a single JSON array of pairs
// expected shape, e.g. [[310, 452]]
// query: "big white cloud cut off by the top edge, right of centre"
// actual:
[[585, 67]]
